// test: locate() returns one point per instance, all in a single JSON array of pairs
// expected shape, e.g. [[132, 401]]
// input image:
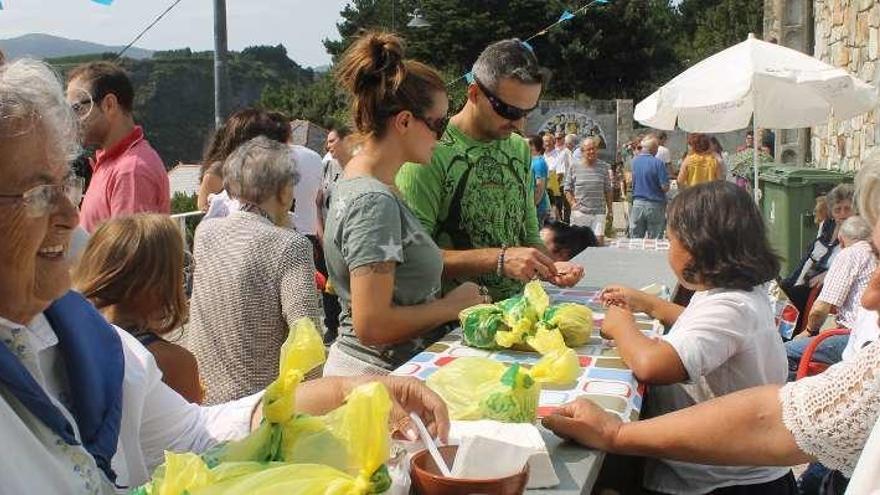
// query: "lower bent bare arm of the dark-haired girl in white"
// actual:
[[651, 360]]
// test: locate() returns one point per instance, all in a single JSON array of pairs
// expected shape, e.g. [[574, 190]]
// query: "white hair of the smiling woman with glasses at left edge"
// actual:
[[32, 99]]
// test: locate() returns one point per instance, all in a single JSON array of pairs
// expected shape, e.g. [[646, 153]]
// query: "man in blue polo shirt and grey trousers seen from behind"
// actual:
[[650, 183]]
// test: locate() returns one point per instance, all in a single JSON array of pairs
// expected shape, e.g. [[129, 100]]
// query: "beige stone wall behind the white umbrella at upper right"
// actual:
[[847, 36]]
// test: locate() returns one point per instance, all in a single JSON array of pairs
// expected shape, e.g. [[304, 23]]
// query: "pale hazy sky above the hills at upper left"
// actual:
[[300, 25]]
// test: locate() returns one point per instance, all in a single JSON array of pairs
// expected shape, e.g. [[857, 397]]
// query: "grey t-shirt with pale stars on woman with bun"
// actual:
[[368, 223]]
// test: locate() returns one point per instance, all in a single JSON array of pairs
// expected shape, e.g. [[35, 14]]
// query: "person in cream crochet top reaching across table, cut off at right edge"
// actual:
[[827, 417]]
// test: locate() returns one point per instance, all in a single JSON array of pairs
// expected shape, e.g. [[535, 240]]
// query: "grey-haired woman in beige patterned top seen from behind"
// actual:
[[254, 275]]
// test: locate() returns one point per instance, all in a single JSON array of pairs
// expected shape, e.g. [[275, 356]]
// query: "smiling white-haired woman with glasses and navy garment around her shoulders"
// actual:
[[82, 405]]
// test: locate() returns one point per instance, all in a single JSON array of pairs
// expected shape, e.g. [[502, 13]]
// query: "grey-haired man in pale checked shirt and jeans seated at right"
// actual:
[[844, 284]]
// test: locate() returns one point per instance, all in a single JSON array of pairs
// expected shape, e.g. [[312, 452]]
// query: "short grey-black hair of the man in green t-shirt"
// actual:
[[507, 59]]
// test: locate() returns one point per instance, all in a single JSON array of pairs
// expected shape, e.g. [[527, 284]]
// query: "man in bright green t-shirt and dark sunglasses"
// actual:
[[476, 196]]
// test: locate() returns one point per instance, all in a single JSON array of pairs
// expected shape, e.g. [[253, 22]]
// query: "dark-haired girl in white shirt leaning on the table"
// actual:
[[725, 340]]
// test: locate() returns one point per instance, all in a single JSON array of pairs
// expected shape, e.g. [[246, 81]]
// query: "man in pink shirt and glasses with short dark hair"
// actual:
[[127, 175]]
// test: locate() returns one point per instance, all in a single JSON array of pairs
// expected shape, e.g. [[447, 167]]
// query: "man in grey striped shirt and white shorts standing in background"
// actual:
[[588, 189]]
